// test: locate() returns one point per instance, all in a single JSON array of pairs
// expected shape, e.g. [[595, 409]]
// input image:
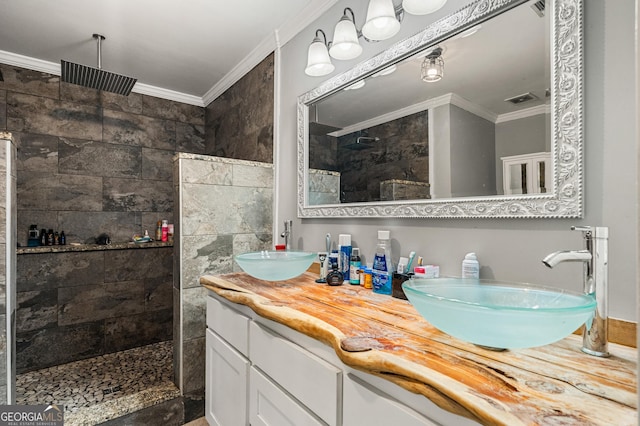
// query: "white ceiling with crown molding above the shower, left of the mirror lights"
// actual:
[[186, 50]]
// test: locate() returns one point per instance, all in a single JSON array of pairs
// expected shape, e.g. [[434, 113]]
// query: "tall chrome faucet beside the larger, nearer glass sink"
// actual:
[[595, 260]]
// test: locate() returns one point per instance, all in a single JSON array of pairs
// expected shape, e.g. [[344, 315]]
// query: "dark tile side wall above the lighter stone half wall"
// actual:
[[239, 123]]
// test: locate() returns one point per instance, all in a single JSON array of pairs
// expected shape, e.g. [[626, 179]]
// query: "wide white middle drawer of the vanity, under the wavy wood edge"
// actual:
[[311, 380]]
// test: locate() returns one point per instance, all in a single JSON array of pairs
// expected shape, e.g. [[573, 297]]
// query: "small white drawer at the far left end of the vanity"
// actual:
[[229, 324]]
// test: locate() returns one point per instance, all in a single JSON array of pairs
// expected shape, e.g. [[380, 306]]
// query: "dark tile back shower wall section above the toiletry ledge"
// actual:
[[90, 161]]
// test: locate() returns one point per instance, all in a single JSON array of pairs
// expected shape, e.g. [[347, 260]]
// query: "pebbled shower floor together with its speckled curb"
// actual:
[[95, 390]]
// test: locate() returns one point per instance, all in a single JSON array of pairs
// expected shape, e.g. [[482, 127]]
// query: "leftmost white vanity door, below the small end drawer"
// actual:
[[227, 373]]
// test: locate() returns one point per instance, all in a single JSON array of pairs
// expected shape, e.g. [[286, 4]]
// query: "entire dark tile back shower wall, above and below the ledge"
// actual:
[[92, 162]]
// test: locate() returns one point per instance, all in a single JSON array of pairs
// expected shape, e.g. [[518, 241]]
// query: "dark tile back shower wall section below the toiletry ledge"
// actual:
[[77, 305]]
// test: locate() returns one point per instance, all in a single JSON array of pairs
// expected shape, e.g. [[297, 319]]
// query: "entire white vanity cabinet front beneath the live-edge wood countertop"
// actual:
[[262, 373]]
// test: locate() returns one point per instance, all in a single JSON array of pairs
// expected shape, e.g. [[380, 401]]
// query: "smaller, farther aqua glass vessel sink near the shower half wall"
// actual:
[[275, 265]]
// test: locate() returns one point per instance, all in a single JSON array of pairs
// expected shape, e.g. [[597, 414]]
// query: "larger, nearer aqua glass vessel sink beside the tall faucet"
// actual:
[[499, 315]]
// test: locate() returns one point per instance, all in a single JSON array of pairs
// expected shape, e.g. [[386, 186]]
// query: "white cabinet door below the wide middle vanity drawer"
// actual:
[[270, 406]]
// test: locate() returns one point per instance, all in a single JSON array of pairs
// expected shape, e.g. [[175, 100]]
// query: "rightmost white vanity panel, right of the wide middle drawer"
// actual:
[[363, 405]]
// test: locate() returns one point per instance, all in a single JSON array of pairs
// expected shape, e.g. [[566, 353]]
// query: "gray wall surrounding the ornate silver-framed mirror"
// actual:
[[611, 191]]
